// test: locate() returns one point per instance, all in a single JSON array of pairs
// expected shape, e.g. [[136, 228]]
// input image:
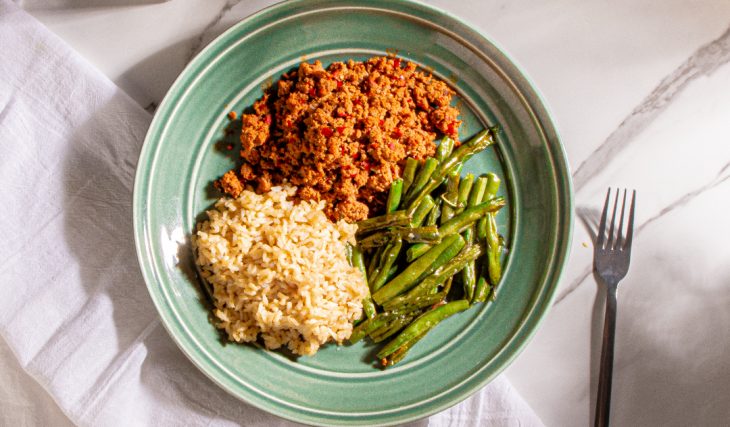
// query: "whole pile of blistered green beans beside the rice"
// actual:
[[435, 227]]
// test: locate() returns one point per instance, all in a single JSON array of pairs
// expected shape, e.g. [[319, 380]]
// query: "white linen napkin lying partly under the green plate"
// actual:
[[74, 308]]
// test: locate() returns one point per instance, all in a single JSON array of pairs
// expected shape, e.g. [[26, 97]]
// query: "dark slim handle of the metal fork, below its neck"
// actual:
[[603, 401]]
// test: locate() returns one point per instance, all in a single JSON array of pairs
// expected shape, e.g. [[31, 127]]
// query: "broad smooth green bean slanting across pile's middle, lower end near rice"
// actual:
[[419, 269]]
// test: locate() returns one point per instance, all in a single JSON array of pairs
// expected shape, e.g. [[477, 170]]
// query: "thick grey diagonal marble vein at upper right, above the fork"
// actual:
[[704, 61]]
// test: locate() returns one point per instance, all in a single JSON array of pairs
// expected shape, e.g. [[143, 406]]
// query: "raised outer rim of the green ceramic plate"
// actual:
[[532, 319]]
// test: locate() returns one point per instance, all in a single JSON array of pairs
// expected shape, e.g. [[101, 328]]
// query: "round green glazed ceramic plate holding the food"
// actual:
[[182, 155]]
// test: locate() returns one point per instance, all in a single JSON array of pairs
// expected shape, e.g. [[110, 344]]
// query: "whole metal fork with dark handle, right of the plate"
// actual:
[[611, 257]]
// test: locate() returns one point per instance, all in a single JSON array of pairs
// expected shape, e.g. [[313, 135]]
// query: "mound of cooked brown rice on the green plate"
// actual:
[[279, 270]]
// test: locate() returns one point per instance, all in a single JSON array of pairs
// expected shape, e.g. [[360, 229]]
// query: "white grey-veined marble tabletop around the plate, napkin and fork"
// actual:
[[639, 93]]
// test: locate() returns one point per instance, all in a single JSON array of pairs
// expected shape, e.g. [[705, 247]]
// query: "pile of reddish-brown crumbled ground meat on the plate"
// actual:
[[342, 134]]
